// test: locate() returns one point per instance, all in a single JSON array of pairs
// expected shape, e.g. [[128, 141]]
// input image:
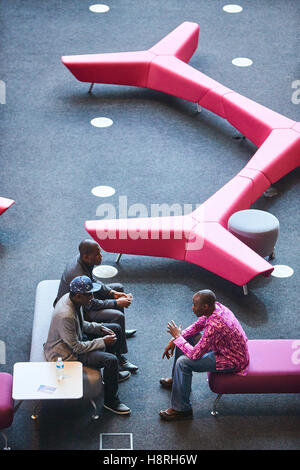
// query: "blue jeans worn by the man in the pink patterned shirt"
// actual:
[[182, 376]]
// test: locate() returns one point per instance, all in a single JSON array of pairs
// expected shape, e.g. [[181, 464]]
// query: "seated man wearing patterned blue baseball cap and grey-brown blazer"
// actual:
[[66, 340]]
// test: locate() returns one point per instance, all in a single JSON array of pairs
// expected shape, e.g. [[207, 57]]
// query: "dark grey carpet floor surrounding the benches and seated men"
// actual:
[[159, 150]]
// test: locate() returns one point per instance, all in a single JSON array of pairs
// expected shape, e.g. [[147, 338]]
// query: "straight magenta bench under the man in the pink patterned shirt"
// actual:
[[274, 367]]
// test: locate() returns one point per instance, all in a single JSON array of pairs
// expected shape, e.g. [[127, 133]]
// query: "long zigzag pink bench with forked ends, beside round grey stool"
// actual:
[[204, 239]]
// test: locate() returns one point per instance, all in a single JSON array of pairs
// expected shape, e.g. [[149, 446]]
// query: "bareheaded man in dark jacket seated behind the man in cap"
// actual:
[[108, 303]]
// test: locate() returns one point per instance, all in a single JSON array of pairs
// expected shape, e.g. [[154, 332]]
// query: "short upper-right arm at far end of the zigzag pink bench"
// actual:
[[181, 42]]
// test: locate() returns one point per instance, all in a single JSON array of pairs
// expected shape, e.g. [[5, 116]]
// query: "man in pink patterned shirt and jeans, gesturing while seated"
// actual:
[[222, 347]]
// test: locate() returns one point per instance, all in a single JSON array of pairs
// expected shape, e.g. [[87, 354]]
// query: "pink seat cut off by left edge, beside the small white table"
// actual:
[[6, 403]]
